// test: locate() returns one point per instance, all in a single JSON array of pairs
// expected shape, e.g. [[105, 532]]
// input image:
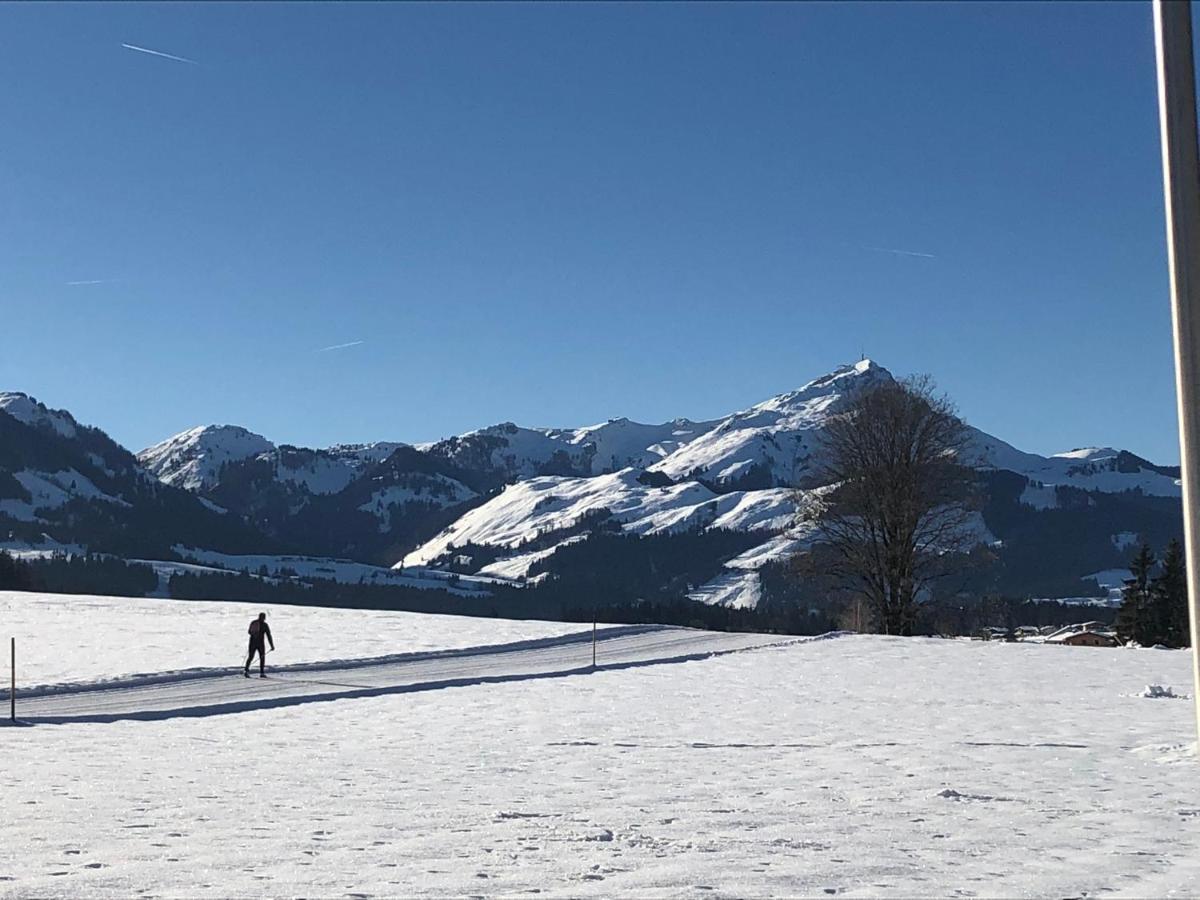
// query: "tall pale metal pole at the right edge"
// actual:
[[1181, 187]]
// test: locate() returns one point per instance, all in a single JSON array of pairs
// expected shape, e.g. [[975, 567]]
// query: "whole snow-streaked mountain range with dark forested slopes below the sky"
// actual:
[[512, 506]]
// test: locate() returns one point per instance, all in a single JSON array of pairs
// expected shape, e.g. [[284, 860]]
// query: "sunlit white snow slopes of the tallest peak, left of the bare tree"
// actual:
[[779, 440]]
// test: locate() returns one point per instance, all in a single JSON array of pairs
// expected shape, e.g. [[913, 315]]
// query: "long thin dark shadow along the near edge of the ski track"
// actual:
[[244, 706]]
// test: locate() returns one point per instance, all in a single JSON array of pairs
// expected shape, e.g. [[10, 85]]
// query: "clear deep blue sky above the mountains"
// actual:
[[557, 214]]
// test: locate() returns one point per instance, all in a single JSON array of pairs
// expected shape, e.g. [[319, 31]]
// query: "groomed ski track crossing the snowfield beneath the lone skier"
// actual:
[[223, 692]]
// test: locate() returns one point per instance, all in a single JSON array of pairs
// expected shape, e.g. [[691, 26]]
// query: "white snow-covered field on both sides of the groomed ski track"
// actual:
[[856, 766]]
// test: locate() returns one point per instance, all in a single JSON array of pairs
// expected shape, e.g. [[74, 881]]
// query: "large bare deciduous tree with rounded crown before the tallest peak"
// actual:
[[901, 512]]
